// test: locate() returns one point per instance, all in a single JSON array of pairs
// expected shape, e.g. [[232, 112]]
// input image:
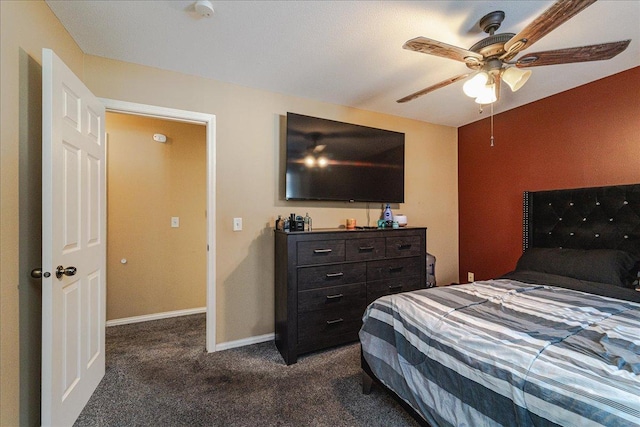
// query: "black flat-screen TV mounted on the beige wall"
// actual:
[[329, 160]]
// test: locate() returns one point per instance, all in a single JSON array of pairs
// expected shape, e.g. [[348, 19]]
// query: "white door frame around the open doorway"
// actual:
[[209, 120]]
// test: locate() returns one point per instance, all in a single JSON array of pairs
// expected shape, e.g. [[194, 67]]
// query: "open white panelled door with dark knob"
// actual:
[[73, 242]]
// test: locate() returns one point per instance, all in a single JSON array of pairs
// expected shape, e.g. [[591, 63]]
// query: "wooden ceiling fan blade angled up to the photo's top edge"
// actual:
[[556, 15]]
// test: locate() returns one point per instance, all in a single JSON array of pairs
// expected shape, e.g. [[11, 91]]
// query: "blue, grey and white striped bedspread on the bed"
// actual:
[[502, 352]]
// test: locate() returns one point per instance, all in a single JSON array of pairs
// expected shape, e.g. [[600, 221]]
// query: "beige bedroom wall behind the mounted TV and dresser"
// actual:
[[249, 138]]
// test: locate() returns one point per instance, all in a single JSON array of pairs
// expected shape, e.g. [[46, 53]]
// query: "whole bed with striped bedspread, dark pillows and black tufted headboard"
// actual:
[[554, 342]]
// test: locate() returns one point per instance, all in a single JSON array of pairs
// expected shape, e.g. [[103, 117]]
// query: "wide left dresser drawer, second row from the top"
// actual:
[[331, 275]]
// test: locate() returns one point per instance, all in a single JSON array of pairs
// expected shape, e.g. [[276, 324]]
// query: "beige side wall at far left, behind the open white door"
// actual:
[[26, 27]]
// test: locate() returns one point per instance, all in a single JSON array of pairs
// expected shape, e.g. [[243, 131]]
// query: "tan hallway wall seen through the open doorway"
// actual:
[[148, 183]]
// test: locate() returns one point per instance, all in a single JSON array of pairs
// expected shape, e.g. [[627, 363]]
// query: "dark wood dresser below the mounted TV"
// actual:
[[324, 280]]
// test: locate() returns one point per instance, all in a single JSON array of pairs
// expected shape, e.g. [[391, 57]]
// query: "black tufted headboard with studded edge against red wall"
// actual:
[[583, 218]]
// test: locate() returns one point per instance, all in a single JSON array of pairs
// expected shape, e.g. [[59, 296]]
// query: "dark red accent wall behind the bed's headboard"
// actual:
[[585, 137]]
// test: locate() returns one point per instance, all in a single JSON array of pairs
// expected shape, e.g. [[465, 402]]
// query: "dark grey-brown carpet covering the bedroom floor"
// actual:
[[158, 374]]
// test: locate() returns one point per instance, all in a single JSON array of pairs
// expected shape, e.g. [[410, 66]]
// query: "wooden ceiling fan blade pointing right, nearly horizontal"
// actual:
[[596, 52]]
